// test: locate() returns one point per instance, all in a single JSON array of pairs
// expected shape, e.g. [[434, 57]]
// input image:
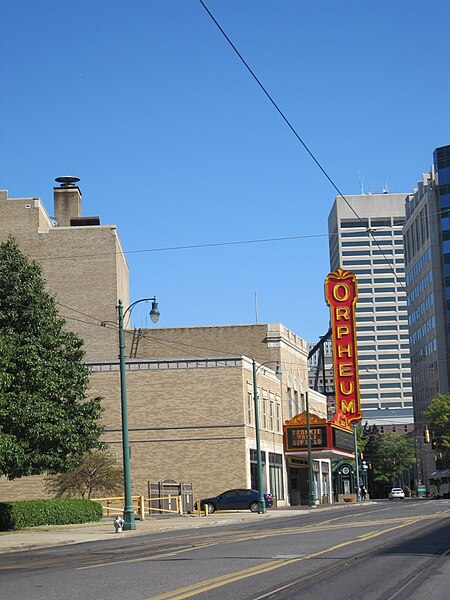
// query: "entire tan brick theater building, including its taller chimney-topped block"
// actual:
[[190, 390]]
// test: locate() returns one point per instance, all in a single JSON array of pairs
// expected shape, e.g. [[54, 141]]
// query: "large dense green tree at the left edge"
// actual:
[[46, 422]]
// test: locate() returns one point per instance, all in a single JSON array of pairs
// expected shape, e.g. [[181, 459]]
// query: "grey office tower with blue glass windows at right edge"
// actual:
[[427, 261]]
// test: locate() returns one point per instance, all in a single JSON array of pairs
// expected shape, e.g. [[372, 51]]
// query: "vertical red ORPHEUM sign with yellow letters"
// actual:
[[341, 292]]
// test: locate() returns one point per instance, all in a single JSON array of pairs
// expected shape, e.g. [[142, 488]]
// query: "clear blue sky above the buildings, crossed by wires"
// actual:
[[175, 143]]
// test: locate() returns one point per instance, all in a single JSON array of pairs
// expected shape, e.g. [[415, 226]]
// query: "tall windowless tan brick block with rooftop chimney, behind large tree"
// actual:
[[83, 264]]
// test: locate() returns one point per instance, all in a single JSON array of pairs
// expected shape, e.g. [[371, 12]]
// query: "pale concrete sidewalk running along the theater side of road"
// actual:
[[59, 535]]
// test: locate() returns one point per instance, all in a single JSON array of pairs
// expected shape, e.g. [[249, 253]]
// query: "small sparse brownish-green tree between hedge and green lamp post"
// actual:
[[98, 473]]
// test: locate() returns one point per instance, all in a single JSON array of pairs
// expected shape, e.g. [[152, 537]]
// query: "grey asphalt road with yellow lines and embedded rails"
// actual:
[[378, 551]]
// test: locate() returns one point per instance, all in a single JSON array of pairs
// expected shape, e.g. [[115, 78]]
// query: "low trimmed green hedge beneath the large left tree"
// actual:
[[64, 511]]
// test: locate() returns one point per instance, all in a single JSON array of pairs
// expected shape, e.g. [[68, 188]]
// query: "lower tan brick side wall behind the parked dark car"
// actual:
[[186, 421]]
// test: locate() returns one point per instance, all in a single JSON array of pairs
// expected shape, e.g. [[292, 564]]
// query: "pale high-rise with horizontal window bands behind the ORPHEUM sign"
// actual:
[[365, 237]]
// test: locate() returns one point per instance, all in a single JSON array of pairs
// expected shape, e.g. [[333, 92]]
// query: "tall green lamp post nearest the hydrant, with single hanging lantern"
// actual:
[[128, 513]]
